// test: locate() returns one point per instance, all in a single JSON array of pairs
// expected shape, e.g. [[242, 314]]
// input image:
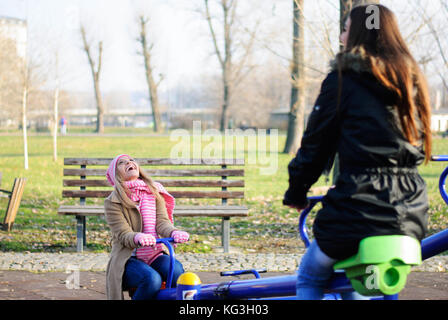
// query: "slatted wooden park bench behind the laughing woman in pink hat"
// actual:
[[189, 175]]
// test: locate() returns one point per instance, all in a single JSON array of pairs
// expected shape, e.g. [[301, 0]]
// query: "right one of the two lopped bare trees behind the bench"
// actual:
[[152, 84]]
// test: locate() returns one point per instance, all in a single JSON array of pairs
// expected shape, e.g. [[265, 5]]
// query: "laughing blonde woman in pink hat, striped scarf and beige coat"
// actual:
[[138, 211]]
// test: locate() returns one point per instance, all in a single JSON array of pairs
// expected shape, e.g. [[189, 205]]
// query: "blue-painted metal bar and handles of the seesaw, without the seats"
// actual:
[[285, 286]]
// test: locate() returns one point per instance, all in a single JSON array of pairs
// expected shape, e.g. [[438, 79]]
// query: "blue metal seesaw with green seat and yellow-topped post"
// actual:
[[390, 256]]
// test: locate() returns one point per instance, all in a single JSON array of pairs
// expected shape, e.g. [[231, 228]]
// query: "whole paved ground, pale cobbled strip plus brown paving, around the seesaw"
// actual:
[[50, 271]]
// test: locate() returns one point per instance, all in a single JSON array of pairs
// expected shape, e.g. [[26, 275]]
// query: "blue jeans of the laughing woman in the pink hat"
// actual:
[[148, 279]]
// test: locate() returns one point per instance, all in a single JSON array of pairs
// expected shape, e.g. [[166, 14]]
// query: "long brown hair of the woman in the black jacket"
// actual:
[[393, 65]]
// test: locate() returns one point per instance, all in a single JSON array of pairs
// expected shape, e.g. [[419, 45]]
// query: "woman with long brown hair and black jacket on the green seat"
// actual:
[[374, 111]]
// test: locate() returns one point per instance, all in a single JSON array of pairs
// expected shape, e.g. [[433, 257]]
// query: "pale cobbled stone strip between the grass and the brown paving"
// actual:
[[45, 262]]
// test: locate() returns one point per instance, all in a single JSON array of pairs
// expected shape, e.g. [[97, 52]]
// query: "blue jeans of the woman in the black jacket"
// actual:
[[314, 274]]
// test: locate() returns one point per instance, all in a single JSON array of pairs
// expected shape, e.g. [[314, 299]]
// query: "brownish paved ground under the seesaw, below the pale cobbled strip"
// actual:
[[24, 285]]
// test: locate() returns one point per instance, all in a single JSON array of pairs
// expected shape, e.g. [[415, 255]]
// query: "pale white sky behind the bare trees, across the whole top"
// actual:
[[182, 50]]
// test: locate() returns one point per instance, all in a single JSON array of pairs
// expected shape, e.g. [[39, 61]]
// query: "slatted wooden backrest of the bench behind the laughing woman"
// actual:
[[78, 171]]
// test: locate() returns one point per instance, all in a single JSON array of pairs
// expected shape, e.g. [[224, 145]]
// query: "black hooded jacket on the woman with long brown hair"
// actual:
[[378, 190]]
